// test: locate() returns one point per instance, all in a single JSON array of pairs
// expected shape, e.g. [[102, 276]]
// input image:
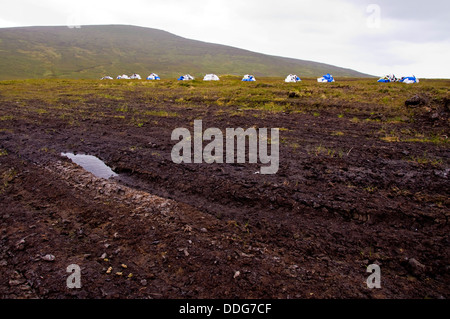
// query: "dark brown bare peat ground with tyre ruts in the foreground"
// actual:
[[338, 203]]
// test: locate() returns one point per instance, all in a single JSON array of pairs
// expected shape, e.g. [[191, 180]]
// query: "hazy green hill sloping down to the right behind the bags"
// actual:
[[94, 51]]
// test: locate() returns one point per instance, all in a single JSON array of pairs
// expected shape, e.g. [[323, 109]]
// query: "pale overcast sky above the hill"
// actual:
[[378, 37]]
